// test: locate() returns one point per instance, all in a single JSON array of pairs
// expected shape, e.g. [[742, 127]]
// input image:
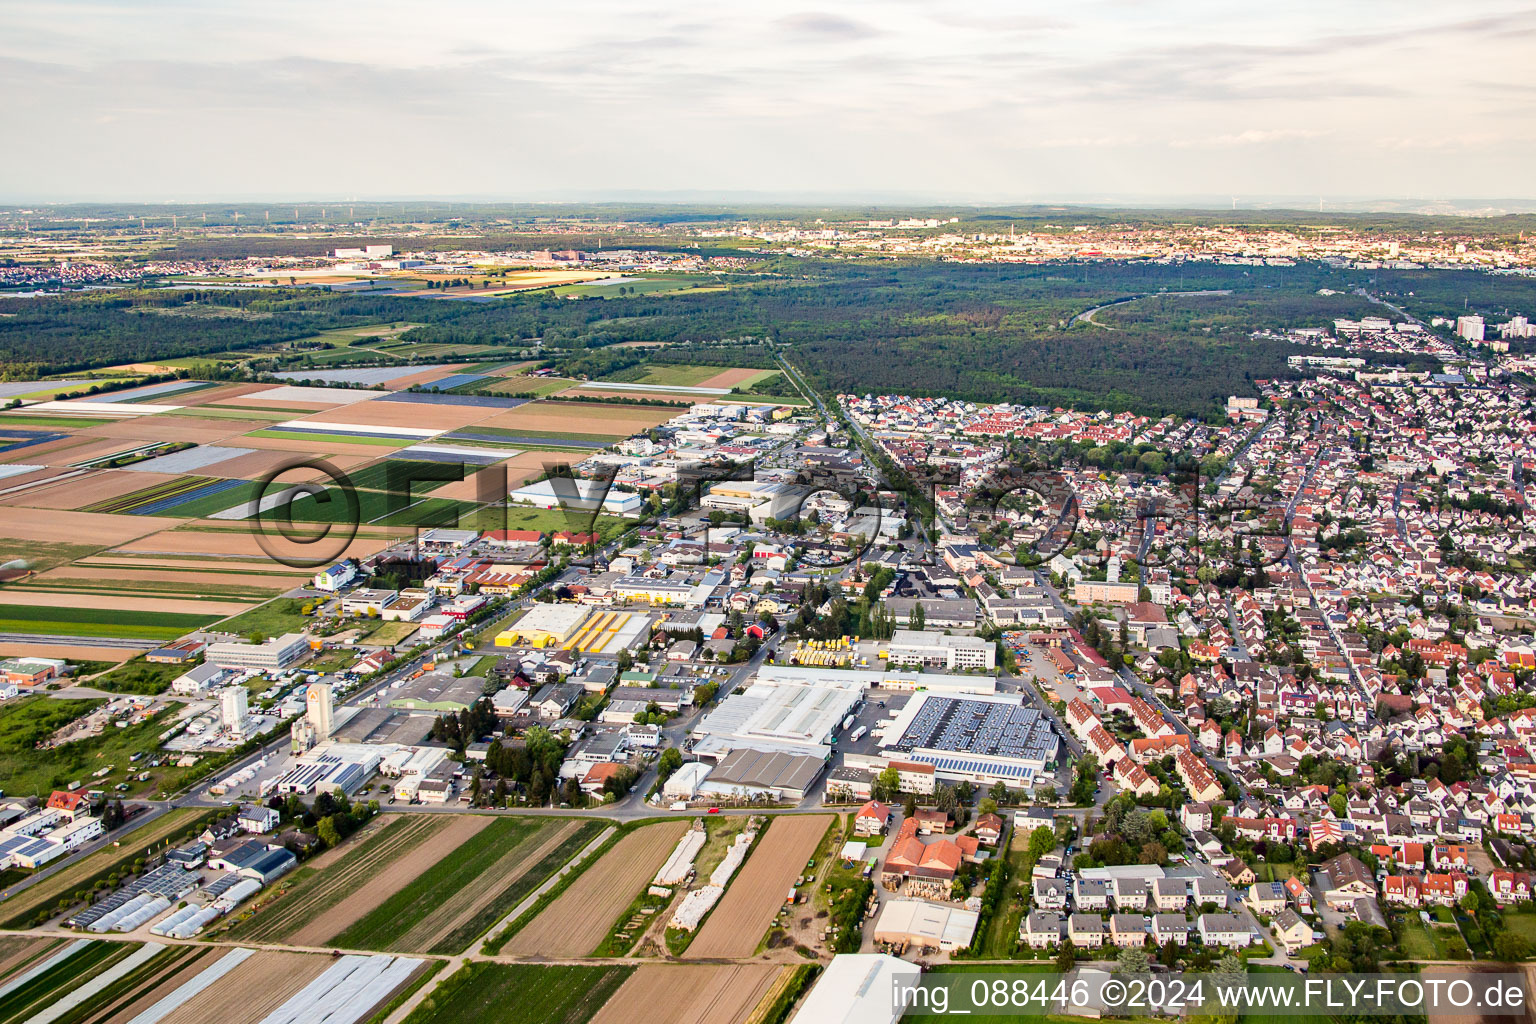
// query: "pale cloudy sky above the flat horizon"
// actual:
[[981, 102]]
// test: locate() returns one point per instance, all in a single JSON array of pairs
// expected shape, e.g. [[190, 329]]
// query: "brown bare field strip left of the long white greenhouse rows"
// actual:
[[578, 920]]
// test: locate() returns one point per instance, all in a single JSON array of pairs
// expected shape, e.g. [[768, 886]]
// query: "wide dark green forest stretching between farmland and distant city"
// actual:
[[982, 332]]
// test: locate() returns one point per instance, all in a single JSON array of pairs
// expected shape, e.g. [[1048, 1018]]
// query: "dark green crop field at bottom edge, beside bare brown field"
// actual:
[[520, 994]]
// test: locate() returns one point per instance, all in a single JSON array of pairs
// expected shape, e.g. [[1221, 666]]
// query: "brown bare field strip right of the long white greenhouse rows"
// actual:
[[740, 922]]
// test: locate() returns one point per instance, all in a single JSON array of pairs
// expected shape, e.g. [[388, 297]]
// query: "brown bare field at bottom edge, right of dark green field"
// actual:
[[690, 994]]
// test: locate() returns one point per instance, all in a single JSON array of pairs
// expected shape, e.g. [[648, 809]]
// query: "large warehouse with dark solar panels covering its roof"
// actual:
[[979, 739]]
